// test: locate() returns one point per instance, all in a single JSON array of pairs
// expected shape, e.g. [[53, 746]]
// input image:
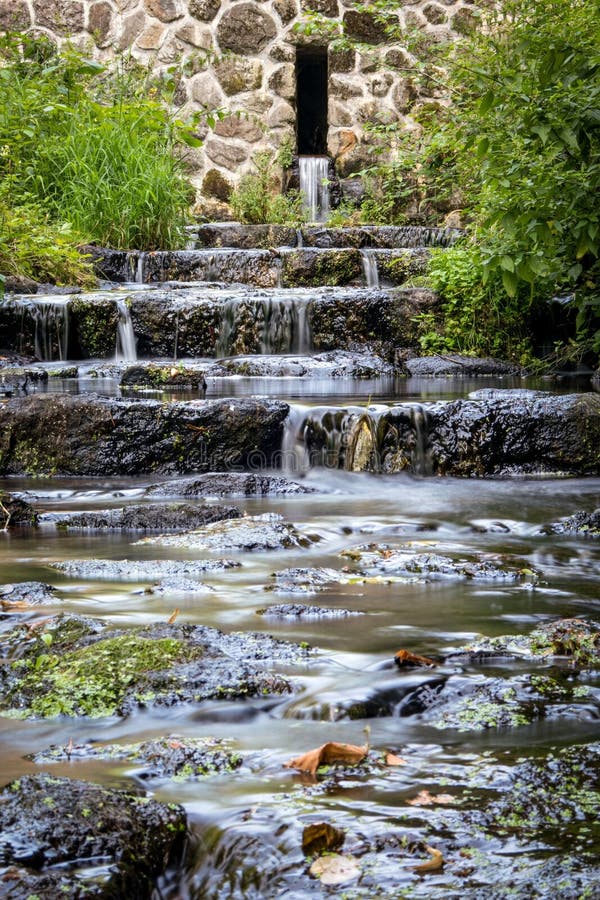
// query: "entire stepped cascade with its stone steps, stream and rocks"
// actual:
[[243, 475]]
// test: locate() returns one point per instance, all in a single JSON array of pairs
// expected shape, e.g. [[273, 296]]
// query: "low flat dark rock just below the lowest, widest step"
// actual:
[[228, 484]]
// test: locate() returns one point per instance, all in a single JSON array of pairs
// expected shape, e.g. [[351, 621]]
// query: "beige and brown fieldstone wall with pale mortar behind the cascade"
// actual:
[[239, 55]]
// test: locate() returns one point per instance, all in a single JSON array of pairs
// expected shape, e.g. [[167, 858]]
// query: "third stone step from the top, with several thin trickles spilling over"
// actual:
[[207, 320]]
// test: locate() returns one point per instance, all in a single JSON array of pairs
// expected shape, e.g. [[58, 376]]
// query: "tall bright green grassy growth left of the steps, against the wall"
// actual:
[[97, 149]]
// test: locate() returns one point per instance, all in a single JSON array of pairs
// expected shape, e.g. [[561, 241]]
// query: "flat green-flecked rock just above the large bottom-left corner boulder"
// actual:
[[175, 757]]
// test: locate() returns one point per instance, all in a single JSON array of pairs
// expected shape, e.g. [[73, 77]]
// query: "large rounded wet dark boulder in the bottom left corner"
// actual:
[[56, 832]]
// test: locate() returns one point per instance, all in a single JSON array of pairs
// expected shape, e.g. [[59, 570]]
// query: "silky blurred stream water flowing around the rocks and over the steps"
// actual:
[[245, 840]]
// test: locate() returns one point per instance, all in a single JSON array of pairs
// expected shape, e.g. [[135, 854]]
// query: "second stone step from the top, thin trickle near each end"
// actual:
[[284, 267]]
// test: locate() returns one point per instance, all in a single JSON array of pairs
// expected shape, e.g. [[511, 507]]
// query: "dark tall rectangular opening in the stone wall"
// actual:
[[311, 100]]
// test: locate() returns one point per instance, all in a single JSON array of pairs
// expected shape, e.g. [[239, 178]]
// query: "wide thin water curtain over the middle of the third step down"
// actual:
[[279, 324]]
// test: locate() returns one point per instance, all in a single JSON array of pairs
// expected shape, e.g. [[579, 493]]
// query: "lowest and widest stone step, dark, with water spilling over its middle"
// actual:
[[493, 433]]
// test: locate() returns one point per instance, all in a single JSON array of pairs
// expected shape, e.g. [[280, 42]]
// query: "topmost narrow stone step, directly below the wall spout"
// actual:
[[249, 237]]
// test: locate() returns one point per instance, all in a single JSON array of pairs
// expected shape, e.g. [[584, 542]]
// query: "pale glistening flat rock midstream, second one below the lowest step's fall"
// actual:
[[263, 532]]
